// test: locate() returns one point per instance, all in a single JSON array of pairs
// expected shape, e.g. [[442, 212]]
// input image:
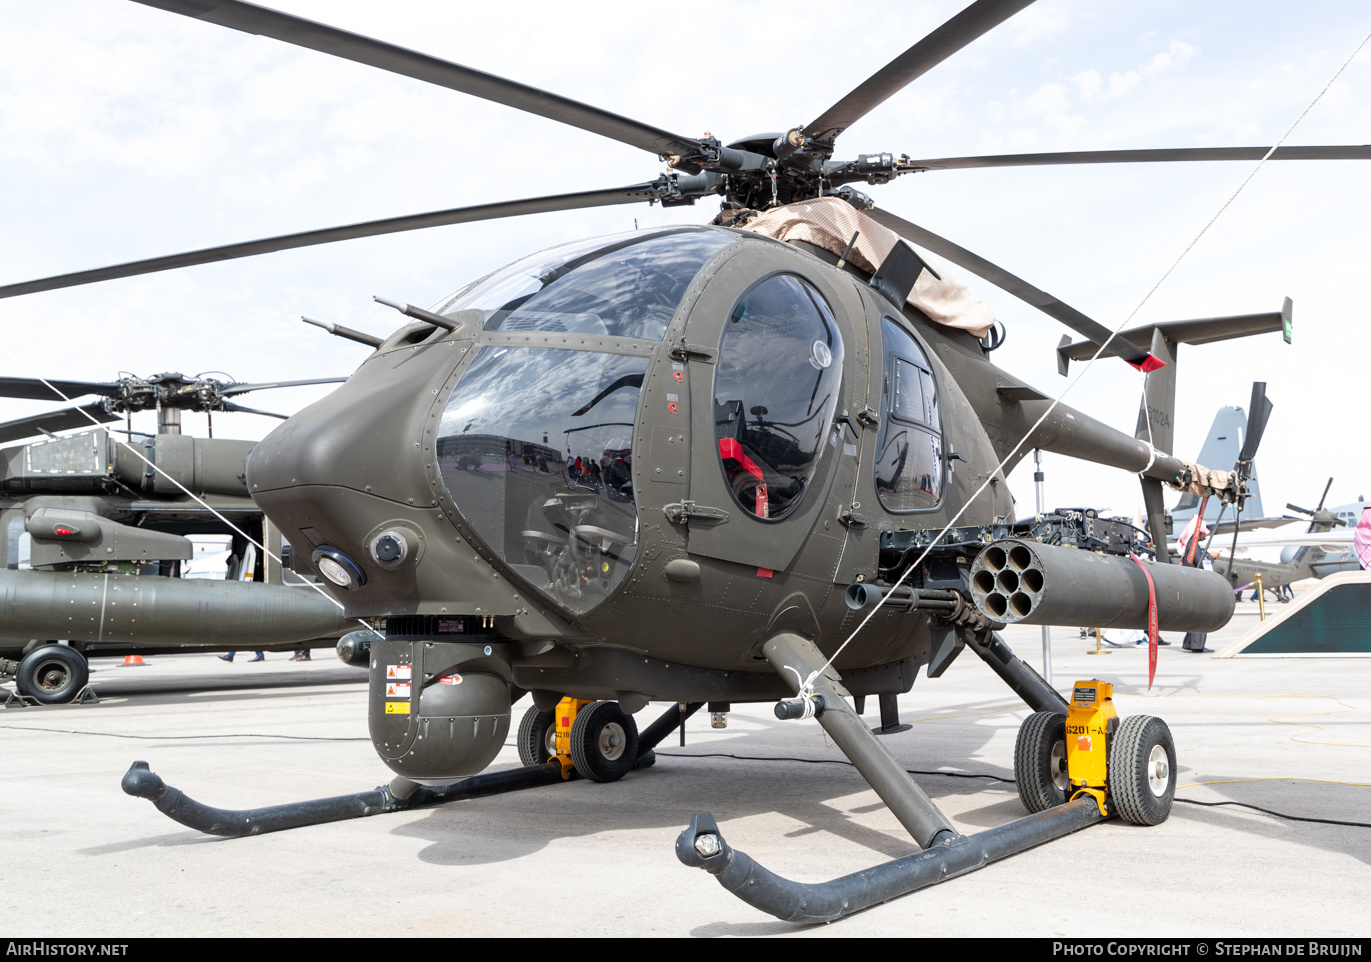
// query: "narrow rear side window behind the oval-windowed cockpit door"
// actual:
[[910, 450]]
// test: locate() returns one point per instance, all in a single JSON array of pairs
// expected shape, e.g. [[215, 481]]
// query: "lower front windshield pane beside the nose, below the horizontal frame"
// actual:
[[535, 452]]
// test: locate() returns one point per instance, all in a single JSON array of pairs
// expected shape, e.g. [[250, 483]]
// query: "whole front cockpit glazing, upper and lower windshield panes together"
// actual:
[[535, 445]]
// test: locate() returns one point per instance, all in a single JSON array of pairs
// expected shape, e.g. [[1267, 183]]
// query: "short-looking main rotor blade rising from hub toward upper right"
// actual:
[[943, 43]]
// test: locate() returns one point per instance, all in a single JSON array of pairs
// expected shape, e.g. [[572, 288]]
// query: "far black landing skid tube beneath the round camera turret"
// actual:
[[142, 782]]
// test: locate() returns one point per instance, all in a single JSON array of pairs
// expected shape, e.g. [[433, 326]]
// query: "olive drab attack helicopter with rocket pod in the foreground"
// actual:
[[688, 465]]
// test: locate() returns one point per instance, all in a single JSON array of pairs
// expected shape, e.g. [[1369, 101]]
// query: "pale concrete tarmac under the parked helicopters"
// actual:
[[83, 860]]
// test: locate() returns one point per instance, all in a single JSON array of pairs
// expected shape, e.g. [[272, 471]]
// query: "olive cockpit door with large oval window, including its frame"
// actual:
[[764, 446]]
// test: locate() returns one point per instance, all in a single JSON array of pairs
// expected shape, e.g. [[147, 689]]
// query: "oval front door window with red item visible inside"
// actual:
[[777, 384]]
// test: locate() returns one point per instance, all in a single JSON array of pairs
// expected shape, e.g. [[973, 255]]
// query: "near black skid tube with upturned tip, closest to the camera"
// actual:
[[827, 902]]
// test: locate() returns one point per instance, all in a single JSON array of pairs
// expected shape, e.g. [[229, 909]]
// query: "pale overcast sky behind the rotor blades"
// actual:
[[127, 132]]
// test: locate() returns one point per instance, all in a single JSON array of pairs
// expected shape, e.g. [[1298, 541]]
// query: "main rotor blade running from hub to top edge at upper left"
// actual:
[[267, 23]]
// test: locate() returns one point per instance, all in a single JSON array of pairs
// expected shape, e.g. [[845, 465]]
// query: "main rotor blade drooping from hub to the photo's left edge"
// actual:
[[563, 202]]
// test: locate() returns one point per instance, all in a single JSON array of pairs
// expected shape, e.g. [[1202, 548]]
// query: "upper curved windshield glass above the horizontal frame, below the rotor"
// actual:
[[624, 286]]
